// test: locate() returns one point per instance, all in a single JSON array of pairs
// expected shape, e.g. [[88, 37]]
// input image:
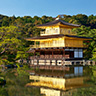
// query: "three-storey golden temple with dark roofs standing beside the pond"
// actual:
[[57, 45]]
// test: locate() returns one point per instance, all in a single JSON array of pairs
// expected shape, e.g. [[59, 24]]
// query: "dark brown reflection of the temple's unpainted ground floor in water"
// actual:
[[73, 71]]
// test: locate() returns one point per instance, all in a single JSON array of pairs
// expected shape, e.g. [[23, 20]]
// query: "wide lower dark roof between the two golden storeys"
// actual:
[[57, 36]]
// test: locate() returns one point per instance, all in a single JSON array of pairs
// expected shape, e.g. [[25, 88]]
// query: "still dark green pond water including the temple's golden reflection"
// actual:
[[78, 81]]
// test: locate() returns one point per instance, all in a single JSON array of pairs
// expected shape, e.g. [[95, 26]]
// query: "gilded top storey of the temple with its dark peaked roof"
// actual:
[[57, 27]]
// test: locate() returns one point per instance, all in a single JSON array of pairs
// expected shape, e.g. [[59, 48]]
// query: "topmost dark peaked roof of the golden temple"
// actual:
[[58, 21]]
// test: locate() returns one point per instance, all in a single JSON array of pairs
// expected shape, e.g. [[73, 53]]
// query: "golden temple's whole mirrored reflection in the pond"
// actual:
[[56, 82]]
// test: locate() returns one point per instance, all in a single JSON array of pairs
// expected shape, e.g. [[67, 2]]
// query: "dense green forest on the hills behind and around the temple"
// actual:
[[14, 30]]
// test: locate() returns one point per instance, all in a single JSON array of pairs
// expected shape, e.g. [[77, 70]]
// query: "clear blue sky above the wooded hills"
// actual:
[[47, 7]]
